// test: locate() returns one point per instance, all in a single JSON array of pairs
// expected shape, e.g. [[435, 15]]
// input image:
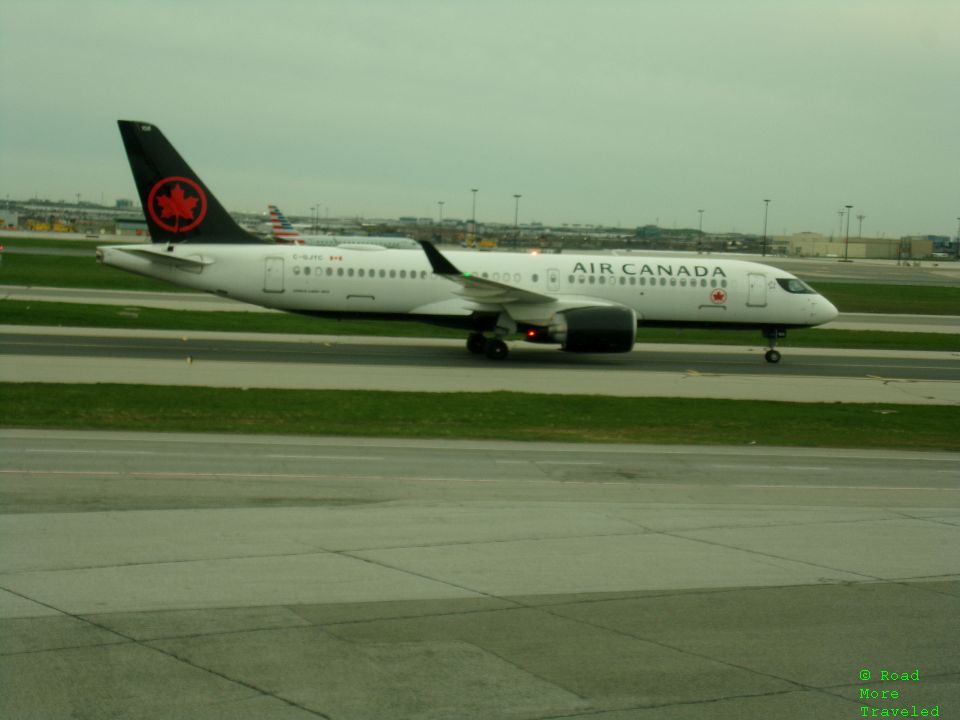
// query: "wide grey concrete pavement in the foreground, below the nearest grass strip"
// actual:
[[183, 576]]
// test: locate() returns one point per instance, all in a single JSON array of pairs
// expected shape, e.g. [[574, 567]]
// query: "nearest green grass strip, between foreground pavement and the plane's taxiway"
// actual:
[[497, 415]]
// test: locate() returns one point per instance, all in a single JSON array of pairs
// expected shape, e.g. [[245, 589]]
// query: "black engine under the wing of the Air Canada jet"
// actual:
[[596, 329]]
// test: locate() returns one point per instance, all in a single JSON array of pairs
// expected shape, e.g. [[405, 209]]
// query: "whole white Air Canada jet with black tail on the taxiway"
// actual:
[[583, 303]]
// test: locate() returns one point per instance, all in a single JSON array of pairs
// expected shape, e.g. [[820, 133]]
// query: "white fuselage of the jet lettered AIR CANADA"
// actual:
[[664, 290]]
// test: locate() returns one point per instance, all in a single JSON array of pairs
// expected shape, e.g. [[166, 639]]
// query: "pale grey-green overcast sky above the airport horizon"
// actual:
[[621, 112]]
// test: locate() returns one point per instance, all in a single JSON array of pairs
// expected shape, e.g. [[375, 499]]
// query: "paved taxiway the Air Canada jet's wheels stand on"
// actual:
[[403, 364]]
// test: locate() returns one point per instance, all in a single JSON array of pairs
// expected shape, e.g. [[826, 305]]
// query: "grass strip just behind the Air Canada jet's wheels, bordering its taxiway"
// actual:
[[24, 312]]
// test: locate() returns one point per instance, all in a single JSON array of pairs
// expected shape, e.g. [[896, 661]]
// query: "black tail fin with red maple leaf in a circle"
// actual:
[[177, 205]]
